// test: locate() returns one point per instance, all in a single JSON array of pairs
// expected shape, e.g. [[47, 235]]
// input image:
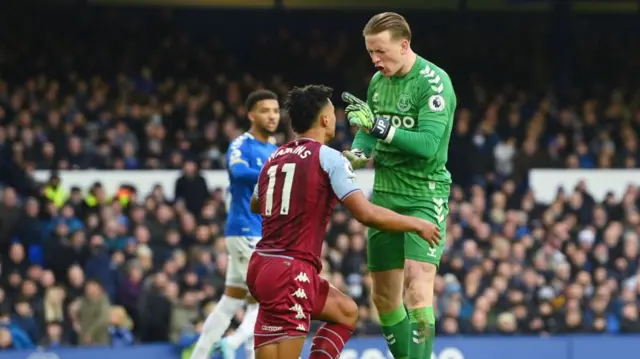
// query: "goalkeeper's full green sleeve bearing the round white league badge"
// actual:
[[434, 113]]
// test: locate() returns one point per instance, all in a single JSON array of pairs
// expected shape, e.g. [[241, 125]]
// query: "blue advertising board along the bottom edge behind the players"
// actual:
[[565, 347]]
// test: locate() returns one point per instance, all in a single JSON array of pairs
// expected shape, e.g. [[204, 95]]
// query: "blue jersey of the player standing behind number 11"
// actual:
[[245, 158]]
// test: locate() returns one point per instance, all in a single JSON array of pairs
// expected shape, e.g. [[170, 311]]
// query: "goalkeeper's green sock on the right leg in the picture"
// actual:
[[422, 322]]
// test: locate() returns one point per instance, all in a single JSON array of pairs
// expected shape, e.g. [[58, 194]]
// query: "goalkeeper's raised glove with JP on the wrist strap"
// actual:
[[359, 114]]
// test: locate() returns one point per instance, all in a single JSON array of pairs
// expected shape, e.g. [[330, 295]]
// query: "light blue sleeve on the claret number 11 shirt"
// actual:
[[341, 175]]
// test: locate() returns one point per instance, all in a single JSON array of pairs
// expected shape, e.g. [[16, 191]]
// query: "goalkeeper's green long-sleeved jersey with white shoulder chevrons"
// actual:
[[421, 106]]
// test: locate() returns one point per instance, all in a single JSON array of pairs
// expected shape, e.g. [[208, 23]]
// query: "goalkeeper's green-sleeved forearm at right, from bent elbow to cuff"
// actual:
[[424, 143]]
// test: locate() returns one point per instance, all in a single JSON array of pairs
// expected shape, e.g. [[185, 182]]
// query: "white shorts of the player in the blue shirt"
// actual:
[[240, 249]]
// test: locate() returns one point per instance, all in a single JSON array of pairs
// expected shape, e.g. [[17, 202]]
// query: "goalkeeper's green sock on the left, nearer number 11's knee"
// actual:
[[395, 327]]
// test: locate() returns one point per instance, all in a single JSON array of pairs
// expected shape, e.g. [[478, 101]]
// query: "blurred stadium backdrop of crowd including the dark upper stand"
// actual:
[[157, 89]]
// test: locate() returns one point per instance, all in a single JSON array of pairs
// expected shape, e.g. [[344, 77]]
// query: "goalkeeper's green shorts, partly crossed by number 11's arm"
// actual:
[[388, 250]]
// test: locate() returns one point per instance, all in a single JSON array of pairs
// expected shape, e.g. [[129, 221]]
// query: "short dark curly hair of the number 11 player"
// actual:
[[304, 103]]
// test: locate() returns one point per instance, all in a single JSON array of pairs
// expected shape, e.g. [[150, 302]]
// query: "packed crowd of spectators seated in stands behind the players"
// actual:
[[95, 268]]
